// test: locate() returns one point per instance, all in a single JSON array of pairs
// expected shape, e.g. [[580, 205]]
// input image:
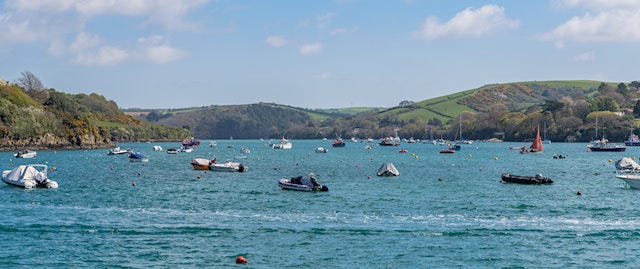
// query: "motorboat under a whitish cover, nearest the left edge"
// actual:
[[29, 176]]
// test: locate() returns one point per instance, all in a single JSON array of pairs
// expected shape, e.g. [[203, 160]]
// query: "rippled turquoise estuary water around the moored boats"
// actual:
[[174, 219]]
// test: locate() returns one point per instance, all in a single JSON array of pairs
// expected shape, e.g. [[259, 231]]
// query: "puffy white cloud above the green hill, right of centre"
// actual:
[[468, 23]]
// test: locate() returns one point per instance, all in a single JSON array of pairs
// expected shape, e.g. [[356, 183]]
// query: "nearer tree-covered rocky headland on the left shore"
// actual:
[[36, 117]]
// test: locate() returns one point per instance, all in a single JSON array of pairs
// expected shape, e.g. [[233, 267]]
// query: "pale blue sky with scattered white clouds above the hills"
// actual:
[[312, 54]]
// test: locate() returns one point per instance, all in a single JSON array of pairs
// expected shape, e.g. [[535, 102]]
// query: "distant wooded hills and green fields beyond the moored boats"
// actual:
[[565, 110]]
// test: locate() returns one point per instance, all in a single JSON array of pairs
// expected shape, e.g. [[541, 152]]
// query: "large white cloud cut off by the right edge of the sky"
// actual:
[[613, 25]]
